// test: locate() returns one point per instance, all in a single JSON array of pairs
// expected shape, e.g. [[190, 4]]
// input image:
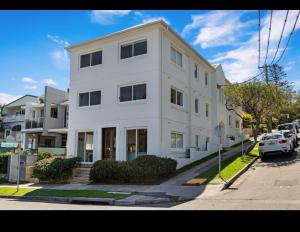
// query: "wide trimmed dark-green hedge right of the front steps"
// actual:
[[144, 169]]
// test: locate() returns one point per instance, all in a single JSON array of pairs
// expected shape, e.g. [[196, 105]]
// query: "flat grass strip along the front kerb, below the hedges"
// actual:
[[12, 191]]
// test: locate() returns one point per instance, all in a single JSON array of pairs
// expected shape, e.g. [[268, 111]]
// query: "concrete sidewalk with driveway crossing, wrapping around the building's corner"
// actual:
[[170, 190]]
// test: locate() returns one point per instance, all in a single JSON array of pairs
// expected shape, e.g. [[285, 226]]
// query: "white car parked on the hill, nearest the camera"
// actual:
[[275, 143]]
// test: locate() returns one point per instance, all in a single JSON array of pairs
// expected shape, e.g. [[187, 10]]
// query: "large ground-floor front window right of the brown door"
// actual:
[[136, 143]]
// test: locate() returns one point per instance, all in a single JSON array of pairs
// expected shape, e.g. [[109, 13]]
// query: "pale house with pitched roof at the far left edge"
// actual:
[[14, 118]]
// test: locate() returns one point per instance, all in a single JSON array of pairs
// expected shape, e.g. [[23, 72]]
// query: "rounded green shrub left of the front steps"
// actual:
[[55, 169]]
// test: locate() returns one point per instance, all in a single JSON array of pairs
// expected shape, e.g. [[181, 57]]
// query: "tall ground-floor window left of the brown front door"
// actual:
[[85, 146]]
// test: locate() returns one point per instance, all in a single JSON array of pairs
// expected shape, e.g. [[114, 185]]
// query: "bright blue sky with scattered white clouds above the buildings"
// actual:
[[32, 42]]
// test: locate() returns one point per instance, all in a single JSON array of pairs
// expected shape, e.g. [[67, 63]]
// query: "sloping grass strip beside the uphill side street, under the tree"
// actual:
[[229, 168]]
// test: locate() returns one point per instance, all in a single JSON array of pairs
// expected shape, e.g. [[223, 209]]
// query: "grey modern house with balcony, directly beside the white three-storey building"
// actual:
[[46, 122]]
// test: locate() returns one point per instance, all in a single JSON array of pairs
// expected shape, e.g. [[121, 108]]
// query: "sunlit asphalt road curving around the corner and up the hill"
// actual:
[[271, 184]]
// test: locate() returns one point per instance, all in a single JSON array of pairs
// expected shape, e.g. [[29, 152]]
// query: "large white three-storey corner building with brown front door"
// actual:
[[144, 90]]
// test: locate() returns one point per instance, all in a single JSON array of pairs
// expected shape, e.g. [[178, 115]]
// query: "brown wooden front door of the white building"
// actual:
[[109, 143]]
